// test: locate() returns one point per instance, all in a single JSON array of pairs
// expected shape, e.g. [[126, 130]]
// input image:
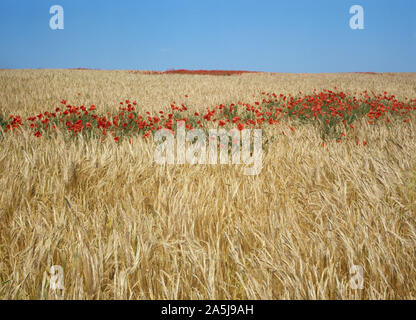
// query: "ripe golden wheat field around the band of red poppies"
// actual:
[[123, 227]]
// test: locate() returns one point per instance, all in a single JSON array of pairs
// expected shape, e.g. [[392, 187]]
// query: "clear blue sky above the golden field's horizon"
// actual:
[[262, 35]]
